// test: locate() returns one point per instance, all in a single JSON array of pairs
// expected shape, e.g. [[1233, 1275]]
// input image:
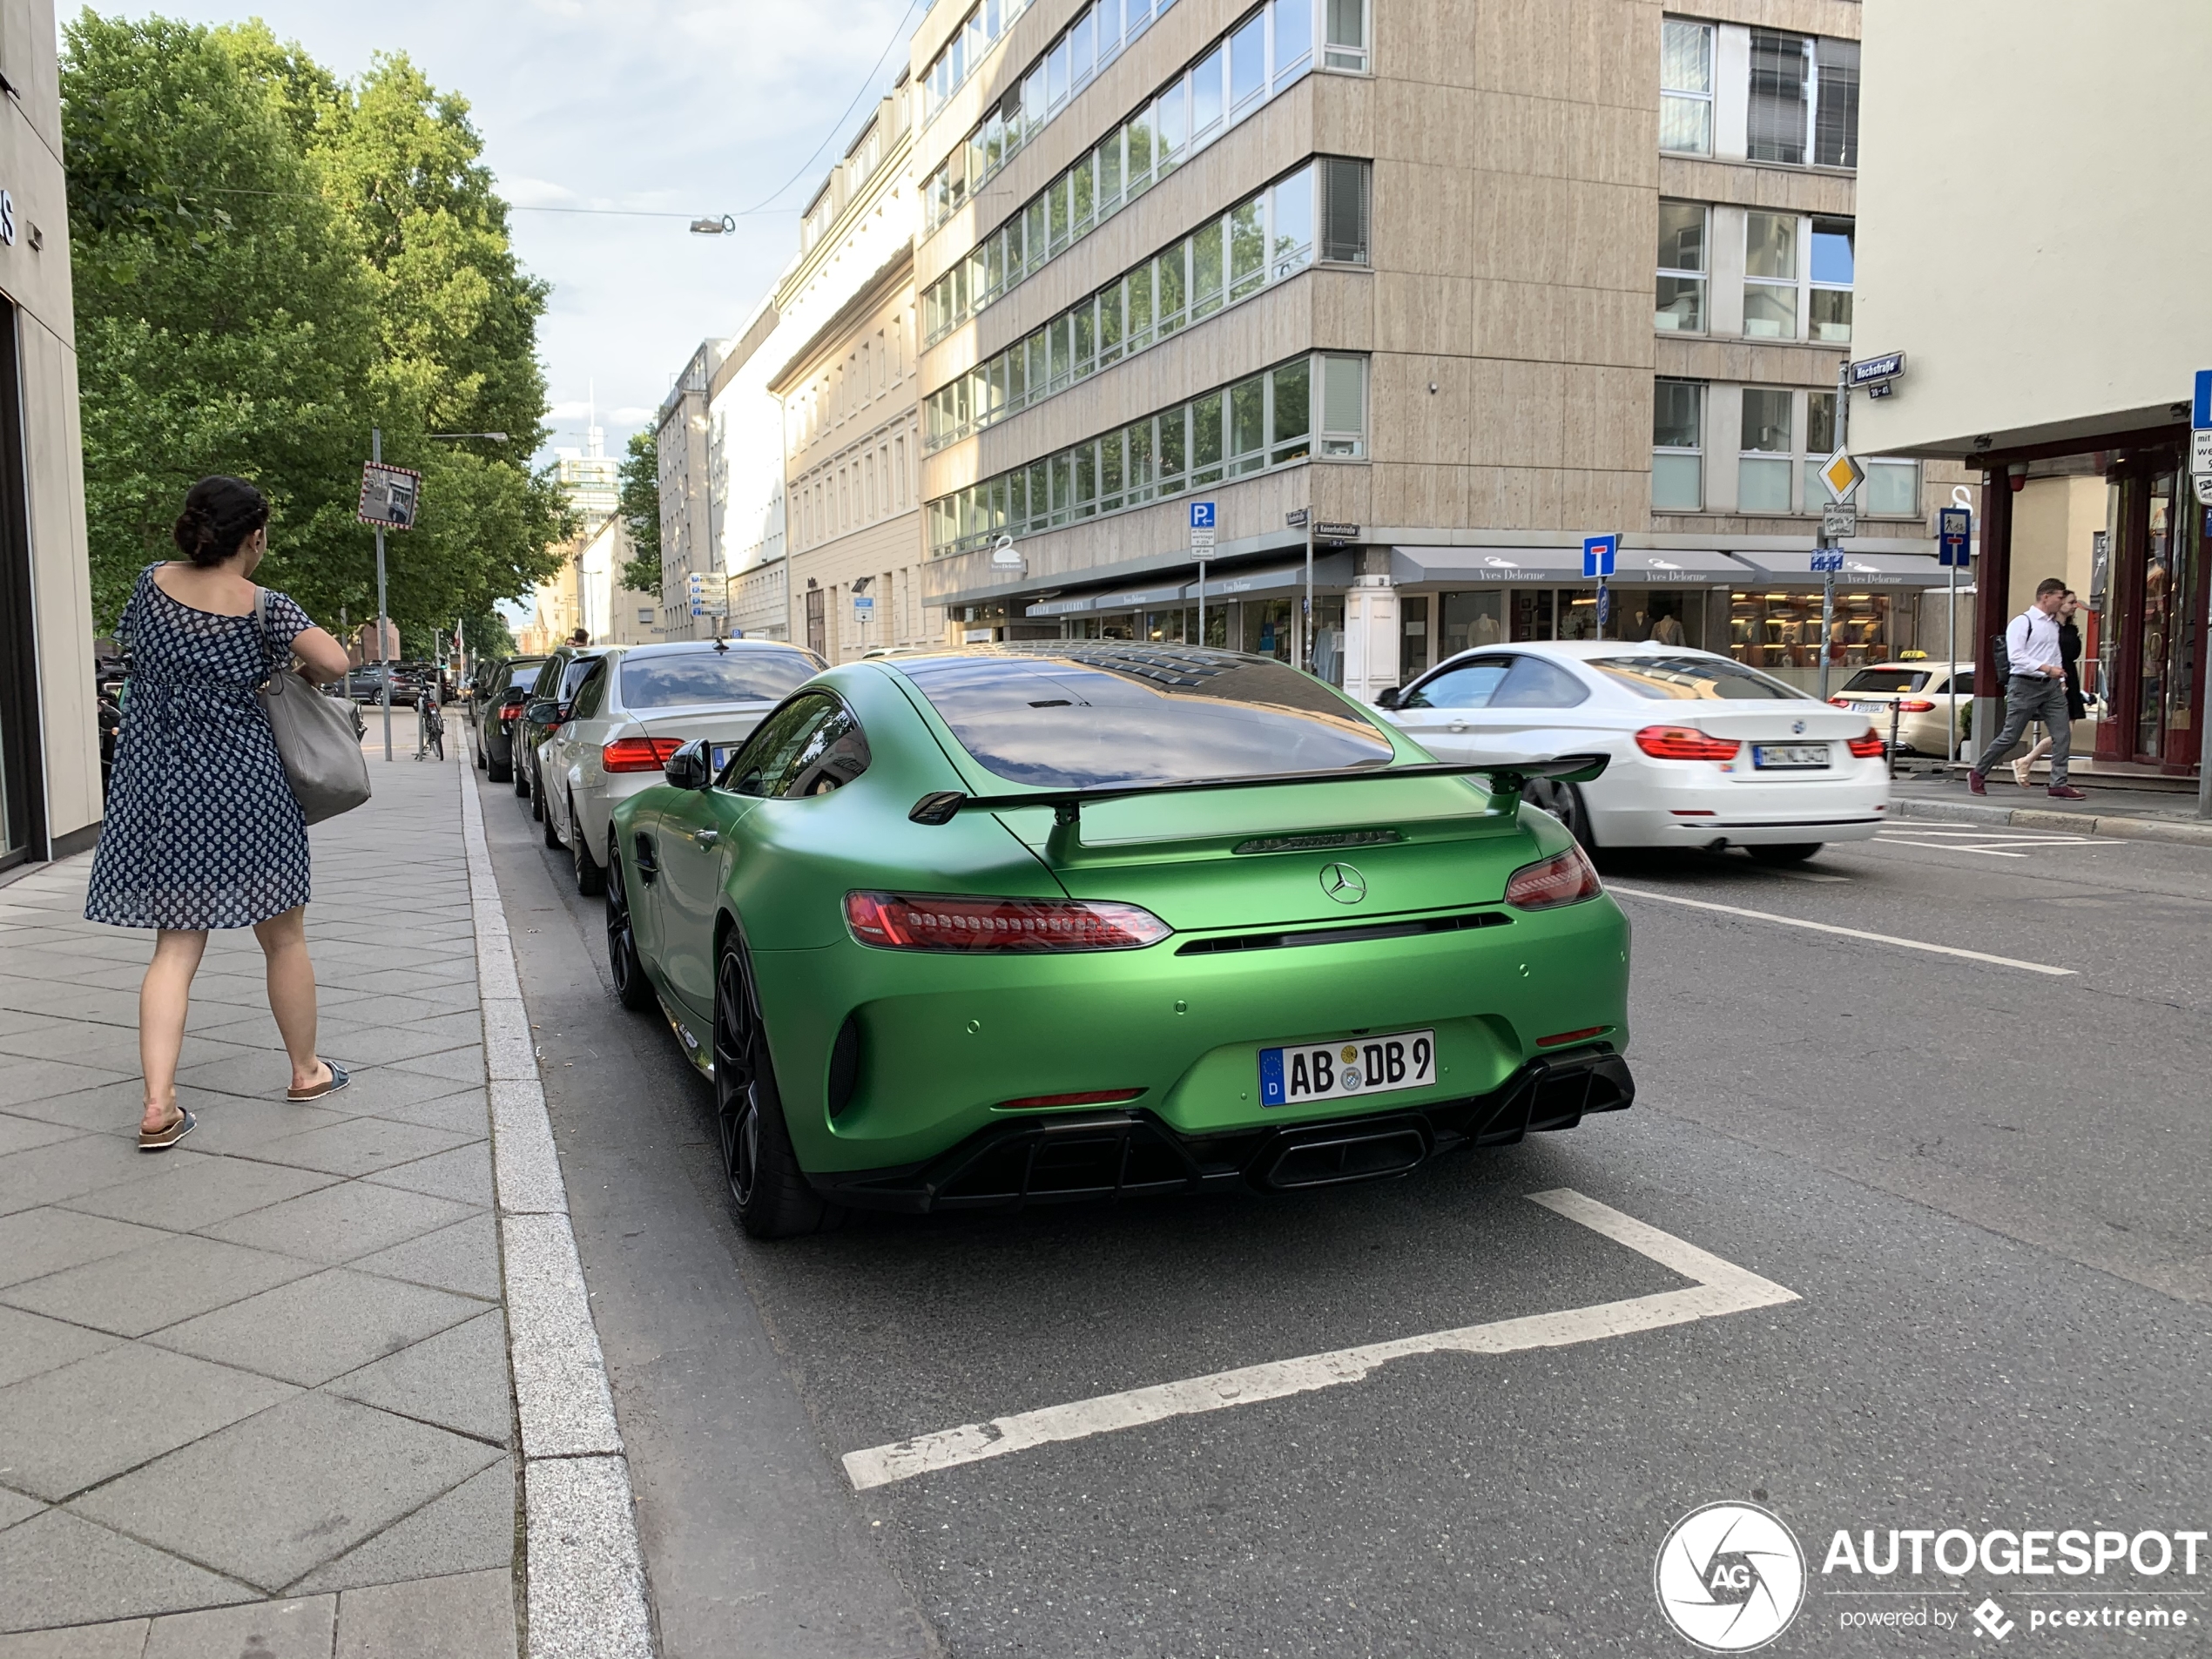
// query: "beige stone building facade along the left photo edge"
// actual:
[[50, 755]]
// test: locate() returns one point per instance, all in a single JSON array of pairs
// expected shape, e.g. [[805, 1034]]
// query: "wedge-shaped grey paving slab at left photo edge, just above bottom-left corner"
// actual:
[[65, 1569]]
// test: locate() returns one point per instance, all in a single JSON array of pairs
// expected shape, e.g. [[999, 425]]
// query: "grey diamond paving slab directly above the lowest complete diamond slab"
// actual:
[[326, 1326]]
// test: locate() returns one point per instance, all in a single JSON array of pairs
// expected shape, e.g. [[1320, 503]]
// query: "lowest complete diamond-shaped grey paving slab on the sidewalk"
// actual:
[[284, 1492]]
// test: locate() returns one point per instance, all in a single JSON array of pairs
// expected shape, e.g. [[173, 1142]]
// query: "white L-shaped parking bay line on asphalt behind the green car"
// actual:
[[1718, 1288]]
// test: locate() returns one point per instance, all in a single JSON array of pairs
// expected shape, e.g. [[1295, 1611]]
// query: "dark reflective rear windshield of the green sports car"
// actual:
[[1089, 716]]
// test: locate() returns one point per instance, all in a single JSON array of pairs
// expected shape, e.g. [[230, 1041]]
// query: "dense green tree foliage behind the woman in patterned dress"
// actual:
[[269, 264]]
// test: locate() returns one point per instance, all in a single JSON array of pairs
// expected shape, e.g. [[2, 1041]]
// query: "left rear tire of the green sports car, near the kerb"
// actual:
[[766, 1185]]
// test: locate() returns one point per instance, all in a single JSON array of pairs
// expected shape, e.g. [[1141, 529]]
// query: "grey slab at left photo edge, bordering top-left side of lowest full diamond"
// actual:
[[83, 1423]]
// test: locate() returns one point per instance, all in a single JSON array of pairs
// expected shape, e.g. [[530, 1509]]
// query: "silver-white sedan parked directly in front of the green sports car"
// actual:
[[638, 709]]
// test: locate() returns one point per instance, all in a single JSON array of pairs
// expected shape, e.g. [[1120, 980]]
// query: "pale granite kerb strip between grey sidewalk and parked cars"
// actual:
[[585, 1580]]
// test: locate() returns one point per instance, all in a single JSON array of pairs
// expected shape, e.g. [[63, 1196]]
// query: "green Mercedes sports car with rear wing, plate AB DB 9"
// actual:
[[1089, 919]]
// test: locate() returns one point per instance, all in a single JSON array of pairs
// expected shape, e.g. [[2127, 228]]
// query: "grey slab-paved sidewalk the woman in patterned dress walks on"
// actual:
[[255, 1392]]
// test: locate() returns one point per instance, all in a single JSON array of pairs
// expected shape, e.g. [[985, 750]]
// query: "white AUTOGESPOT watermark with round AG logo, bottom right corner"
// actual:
[[1731, 1578]]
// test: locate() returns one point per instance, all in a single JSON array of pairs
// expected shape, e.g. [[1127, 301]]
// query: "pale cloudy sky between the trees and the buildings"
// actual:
[[660, 105]]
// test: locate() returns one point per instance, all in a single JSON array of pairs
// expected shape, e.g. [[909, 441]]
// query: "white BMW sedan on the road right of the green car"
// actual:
[[1702, 751]]
